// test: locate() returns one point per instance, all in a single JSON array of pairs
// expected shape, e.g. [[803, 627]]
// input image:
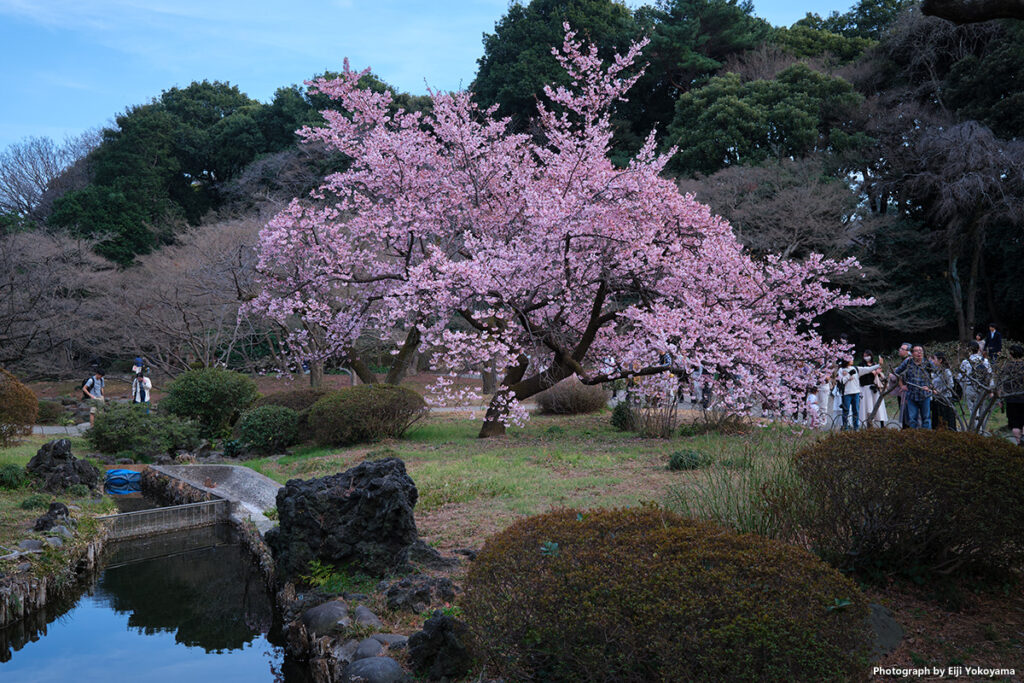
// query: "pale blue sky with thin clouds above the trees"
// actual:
[[73, 65]]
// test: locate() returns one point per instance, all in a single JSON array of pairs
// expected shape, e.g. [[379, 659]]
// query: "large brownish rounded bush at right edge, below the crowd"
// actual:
[[916, 502]]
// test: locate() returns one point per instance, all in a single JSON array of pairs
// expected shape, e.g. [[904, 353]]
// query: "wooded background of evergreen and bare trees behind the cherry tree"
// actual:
[[881, 134]]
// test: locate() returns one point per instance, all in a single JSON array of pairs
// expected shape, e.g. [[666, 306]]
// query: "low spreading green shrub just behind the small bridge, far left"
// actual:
[[126, 428]]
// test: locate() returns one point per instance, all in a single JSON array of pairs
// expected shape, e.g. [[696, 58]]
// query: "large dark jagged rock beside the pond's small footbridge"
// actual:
[[362, 519]]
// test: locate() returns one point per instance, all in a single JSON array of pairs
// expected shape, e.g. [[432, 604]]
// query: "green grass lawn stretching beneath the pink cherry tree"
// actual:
[[472, 488]]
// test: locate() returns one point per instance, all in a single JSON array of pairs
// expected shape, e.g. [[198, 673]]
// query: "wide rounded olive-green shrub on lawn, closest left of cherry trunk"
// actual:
[[365, 413]]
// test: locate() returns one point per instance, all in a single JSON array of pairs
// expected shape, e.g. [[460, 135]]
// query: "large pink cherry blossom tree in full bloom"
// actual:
[[533, 253]]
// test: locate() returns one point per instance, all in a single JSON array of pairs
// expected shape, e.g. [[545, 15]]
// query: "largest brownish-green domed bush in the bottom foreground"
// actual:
[[646, 595]]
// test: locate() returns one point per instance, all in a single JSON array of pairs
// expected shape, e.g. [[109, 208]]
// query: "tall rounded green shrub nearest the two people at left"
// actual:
[[212, 397]]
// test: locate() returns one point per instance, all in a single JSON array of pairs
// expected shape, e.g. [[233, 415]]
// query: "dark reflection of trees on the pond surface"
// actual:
[[214, 599]]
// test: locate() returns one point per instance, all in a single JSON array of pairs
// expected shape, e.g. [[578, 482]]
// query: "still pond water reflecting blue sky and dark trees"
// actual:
[[157, 614]]
